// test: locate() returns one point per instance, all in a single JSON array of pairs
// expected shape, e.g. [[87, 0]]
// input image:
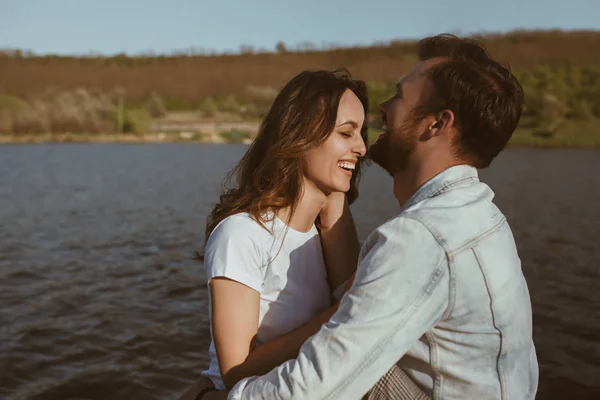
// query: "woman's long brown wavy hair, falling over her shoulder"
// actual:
[[268, 177]]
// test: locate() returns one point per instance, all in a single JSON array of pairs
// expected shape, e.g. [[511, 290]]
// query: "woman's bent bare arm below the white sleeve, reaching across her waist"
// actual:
[[235, 313]]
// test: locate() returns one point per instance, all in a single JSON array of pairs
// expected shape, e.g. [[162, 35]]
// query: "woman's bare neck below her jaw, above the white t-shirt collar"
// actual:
[[308, 208]]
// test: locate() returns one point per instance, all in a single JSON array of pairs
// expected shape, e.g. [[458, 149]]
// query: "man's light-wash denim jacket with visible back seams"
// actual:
[[438, 287]]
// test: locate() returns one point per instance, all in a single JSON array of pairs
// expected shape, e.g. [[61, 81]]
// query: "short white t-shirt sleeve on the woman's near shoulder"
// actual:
[[233, 251]]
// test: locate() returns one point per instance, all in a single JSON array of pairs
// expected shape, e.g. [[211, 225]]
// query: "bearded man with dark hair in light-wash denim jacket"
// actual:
[[439, 287]]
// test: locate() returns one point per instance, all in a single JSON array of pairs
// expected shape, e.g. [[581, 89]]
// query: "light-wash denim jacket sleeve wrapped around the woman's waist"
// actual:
[[401, 290]]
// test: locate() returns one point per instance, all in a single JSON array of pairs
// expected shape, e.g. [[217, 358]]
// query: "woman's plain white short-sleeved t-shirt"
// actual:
[[286, 267]]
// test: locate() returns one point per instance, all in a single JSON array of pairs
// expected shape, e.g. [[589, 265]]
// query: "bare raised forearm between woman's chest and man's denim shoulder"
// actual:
[[339, 240]]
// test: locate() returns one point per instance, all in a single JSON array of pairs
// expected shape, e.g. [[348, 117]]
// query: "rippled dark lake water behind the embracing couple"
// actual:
[[100, 298]]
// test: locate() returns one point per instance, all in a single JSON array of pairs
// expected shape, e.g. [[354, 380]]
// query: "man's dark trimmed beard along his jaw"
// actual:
[[391, 151]]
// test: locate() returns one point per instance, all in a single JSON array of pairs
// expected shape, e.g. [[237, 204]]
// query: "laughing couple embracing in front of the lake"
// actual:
[[434, 304]]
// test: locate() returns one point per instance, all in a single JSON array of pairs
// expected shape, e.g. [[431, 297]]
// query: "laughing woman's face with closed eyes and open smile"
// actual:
[[329, 167]]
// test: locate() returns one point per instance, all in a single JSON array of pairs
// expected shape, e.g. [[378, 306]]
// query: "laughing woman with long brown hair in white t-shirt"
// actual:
[[269, 285]]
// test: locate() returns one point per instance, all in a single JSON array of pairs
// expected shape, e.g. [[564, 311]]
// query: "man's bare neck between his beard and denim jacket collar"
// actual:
[[415, 175]]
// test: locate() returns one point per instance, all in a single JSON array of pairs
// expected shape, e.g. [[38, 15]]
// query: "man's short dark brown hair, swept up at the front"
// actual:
[[484, 96]]
